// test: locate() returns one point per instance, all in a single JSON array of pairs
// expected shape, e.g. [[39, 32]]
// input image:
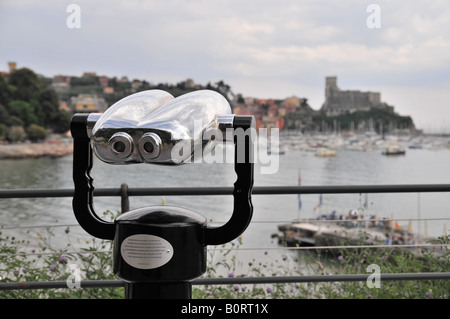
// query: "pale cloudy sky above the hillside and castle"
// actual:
[[264, 49]]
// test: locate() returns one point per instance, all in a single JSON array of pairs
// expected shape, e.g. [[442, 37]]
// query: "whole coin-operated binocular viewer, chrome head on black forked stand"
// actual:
[[159, 250]]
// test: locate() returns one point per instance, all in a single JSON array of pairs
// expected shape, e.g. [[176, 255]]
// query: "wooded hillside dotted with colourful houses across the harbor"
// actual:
[[32, 106]]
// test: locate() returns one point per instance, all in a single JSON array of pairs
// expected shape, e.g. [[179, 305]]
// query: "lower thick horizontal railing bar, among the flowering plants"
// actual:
[[235, 280]]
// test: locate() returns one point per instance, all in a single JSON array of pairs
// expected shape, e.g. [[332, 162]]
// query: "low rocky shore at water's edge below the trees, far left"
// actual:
[[35, 150]]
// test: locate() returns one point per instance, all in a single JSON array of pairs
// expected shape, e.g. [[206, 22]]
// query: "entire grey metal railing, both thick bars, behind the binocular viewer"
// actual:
[[124, 192]]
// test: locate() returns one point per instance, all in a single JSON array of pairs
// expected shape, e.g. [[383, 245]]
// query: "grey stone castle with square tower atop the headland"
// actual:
[[339, 101]]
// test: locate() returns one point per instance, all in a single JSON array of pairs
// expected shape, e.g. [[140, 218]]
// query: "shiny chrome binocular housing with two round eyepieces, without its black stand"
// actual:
[[154, 127]]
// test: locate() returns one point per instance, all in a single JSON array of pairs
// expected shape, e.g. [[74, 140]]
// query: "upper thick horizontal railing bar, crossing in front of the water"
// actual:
[[257, 190]]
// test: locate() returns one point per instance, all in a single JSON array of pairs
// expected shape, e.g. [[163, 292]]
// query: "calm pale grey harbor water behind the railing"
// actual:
[[347, 167]]
